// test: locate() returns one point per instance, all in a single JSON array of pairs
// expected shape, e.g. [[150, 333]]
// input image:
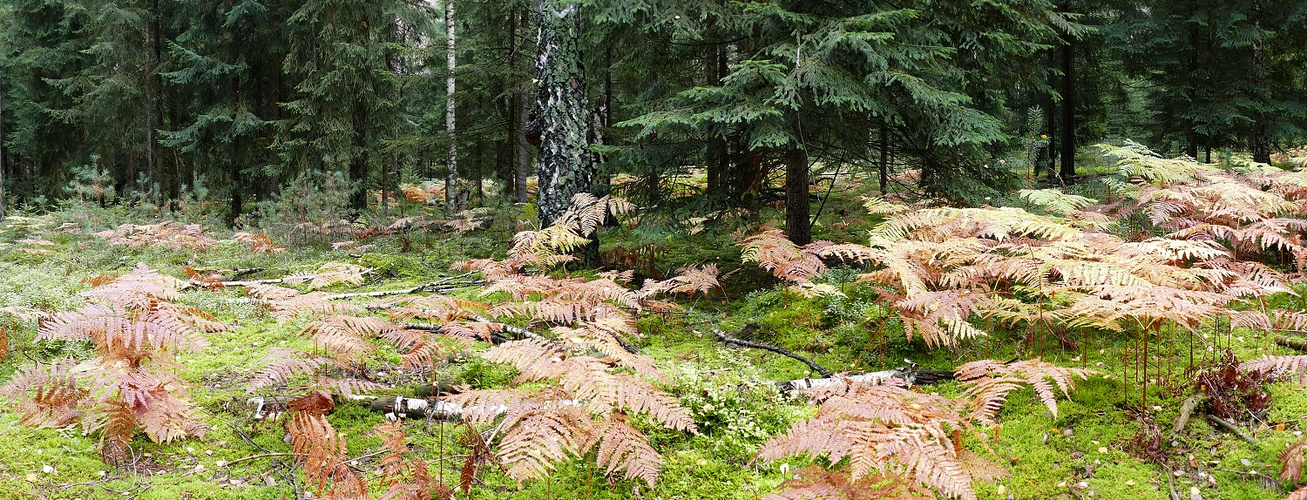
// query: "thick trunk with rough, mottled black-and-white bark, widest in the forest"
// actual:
[[565, 166]]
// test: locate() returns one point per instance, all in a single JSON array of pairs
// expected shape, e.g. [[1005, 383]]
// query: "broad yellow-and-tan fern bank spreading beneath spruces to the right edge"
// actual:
[[943, 270]]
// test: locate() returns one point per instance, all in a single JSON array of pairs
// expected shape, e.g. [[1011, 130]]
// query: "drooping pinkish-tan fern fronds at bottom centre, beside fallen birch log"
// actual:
[[587, 411]]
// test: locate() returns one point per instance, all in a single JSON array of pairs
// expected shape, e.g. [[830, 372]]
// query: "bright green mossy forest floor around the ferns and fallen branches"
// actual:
[[1092, 450]]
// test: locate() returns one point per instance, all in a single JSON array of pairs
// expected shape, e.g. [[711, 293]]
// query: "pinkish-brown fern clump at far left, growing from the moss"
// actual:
[[133, 386]]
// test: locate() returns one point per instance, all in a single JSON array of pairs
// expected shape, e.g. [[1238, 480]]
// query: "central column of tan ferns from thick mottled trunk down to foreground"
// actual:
[[597, 387]]
